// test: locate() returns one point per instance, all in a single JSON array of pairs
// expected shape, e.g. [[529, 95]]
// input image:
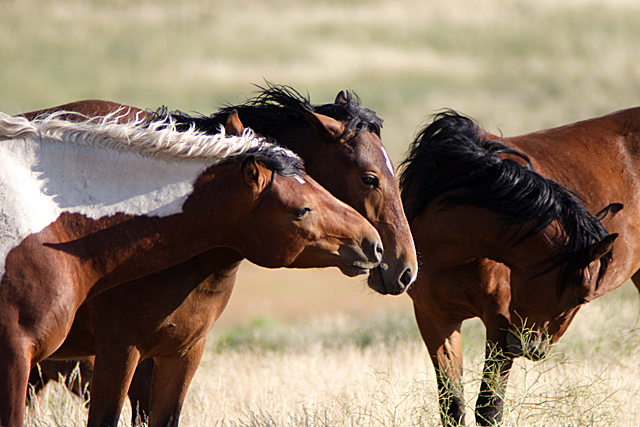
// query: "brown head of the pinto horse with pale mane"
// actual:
[[275, 201]]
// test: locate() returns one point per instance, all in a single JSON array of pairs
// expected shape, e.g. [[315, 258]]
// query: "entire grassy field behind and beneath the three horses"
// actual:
[[516, 66]]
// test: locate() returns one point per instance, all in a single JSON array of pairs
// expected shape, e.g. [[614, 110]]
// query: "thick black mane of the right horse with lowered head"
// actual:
[[452, 156]]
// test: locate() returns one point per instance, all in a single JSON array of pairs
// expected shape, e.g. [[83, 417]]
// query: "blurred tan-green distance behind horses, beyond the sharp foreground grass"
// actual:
[[515, 66]]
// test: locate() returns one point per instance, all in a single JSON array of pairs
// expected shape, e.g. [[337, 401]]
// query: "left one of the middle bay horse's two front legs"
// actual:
[[112, 375]]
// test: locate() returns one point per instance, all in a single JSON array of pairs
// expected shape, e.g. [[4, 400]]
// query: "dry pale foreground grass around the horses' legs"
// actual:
[[352, 371]]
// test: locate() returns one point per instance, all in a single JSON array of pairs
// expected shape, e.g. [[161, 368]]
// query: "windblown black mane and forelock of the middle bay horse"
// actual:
[[277, 107]]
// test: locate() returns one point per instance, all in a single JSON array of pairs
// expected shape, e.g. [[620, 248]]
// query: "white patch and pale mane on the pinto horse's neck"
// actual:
[[99, 168]]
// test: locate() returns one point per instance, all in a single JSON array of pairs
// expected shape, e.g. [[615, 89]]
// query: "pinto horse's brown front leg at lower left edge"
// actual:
[[15, 364]]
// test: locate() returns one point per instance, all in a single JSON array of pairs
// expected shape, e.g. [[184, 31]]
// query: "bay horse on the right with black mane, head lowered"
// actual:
[[506, 232]]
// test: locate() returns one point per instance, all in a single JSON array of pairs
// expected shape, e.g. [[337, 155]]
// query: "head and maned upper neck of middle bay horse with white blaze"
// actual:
[[341, 147]]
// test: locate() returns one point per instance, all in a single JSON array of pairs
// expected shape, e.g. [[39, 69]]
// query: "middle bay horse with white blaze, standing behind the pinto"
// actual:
[[343, 153]]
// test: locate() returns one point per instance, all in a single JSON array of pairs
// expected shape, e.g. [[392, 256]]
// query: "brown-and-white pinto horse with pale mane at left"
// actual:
[[89, 205]]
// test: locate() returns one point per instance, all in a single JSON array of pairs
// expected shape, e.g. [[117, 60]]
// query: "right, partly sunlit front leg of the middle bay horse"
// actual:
[[171, 378]]
